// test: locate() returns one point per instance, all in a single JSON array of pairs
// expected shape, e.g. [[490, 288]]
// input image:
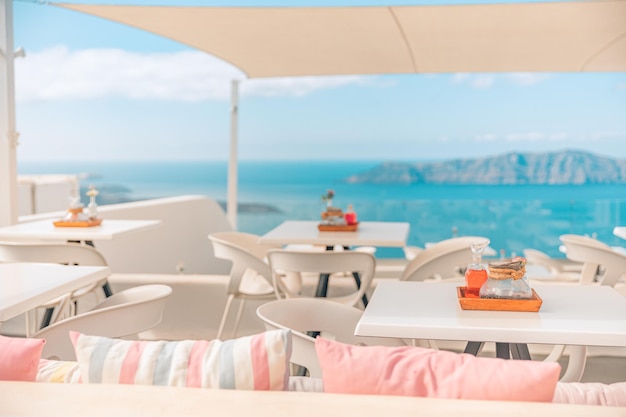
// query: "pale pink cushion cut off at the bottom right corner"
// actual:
[[591, 393]]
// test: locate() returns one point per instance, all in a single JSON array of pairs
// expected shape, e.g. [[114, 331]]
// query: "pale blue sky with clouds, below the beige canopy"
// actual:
[[93, 89]]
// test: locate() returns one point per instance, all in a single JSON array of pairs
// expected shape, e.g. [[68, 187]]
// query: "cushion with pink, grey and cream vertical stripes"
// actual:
[[258, 362]]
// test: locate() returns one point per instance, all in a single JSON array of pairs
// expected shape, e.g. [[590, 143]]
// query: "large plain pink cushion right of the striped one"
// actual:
[[424, 372]]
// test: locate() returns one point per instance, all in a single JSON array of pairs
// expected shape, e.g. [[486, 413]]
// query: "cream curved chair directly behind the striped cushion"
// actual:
[[123, 314]]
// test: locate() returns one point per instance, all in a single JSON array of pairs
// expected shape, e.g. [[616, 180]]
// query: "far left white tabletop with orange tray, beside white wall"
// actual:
[[44, 230]]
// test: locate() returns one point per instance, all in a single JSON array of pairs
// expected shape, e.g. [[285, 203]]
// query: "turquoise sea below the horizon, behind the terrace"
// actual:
[[513, 217]]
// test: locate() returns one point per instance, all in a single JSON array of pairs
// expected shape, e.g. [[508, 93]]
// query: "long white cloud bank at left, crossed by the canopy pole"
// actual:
[[60, 74]]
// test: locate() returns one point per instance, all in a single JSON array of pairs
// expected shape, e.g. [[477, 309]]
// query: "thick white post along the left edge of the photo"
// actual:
[[8, 133]]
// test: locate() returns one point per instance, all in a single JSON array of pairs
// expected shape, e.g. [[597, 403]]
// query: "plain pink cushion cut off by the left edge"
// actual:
[[19, 358]]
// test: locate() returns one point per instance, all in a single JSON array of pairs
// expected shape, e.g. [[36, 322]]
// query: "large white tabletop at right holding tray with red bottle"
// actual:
[[569, 315]]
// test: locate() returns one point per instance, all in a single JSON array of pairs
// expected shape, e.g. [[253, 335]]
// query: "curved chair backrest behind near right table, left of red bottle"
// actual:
[[444, 259]]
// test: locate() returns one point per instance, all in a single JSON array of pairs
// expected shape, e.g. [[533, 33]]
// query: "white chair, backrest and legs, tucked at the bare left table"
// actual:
[[61, 253]]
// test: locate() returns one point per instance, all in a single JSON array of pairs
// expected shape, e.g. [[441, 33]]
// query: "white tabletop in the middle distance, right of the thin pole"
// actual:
[[384, 234]]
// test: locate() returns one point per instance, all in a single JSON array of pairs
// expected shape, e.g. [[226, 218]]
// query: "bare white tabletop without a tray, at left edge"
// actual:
[[25, 286]]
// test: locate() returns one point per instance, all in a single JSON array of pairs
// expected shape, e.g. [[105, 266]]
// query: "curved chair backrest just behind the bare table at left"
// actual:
[[62, 253]]
